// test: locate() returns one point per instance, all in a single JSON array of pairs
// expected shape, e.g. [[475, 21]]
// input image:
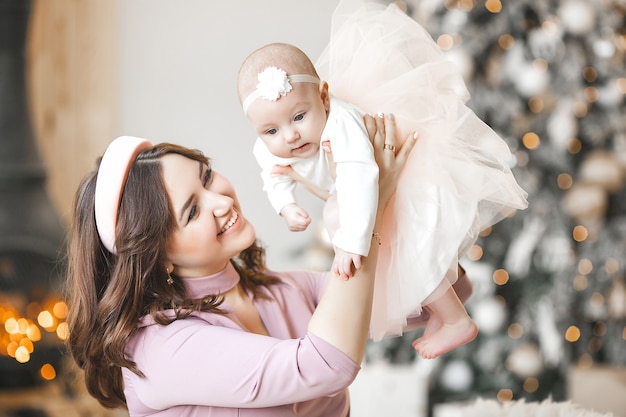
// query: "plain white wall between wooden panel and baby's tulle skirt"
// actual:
[[178, 64]]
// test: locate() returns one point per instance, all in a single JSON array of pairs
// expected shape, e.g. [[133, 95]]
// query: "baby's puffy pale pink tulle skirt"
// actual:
[[457, 181]]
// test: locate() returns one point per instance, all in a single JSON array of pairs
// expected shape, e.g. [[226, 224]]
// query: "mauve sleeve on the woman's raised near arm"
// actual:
[[226, 367]]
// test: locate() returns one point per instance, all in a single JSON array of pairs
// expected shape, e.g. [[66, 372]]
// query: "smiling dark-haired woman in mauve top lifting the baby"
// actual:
[[173, 311]]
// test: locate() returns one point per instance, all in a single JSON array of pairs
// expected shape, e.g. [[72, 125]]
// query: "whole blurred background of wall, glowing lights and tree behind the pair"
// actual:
[[547, 75]]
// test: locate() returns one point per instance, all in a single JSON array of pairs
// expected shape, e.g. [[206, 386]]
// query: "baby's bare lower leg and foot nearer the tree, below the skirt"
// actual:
[[451, 326]]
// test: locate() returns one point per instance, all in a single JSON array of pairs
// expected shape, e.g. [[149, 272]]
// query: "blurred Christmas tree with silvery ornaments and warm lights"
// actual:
[[549, 282]]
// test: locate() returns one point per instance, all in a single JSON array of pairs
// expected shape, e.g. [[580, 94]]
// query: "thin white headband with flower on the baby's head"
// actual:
[[274, 83]]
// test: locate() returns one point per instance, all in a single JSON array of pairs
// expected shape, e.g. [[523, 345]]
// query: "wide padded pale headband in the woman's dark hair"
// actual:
[[112, 174]]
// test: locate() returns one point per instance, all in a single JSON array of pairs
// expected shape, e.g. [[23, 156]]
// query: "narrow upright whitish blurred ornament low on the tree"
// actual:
[[550, 339]]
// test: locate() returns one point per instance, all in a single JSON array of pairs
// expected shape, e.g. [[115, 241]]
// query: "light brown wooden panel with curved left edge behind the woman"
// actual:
[[71, 77]]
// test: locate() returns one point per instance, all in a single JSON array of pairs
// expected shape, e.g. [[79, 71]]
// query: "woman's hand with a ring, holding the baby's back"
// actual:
[[390, 157]]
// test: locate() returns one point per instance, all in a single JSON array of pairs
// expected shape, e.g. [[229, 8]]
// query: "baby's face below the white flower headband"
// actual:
[[292, 125]]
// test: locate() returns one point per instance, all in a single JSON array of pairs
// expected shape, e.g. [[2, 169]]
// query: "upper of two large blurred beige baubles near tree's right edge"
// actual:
[[602, 168]]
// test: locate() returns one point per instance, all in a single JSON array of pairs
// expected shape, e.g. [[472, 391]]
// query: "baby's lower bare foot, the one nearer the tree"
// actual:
[[446, 338]]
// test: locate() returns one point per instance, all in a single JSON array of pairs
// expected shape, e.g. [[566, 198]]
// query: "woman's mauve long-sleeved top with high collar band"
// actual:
[[211, 361]]
